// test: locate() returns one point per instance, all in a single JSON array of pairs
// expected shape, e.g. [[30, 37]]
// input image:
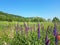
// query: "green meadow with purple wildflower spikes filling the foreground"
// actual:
[[29, 33]]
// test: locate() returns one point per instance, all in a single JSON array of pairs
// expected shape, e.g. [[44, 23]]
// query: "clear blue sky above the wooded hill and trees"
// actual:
[[32, 8]]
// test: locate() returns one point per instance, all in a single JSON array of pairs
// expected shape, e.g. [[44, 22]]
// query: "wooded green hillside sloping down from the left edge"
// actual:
[[9, 17]]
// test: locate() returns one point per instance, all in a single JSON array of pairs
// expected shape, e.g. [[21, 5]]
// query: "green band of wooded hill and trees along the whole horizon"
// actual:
[[12, 17]]
